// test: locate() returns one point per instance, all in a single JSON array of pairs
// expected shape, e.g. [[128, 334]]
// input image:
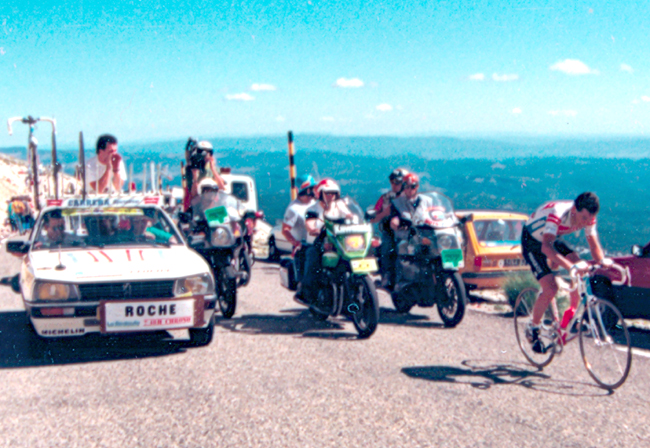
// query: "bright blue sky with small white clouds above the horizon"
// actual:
[[157, 70]]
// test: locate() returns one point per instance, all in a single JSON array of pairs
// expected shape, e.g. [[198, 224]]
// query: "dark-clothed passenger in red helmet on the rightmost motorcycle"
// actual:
[[387, 250]]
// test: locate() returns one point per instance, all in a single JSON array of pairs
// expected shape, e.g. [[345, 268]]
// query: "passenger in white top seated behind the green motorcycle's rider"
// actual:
[[294, 227]]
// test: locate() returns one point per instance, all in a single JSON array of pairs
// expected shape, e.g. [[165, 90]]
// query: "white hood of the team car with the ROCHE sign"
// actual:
[[97, 265]]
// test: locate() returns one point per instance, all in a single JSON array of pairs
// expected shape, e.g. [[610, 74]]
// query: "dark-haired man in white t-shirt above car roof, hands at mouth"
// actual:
[[105, 164]]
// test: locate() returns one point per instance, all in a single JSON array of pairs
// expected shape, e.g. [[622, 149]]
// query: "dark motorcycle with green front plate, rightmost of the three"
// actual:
[[429, 255]]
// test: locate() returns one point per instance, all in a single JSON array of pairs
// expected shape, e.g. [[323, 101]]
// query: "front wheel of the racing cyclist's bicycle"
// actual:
[[605, 344]]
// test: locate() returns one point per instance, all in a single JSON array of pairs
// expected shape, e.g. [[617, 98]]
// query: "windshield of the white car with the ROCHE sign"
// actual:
[[104, 226]]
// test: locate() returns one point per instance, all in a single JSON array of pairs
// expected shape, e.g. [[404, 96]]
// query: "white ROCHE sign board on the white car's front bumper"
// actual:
[[146, 315]]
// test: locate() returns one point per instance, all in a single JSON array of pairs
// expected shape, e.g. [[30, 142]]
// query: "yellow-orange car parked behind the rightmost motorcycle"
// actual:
[[492, 247]]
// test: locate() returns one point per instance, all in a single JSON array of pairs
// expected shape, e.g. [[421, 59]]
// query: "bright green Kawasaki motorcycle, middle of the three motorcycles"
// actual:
[[344, 285]]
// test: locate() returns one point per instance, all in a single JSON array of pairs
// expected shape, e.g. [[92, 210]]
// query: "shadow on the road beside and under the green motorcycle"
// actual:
[[295, 321]]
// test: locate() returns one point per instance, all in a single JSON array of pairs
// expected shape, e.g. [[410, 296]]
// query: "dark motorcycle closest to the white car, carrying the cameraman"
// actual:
[[218, 235]]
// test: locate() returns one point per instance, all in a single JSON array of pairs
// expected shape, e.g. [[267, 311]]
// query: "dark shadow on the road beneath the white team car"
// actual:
[[20, 347]]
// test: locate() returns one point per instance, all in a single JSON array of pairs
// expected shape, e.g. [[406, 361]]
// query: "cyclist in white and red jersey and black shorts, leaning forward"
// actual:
[[543, 249]]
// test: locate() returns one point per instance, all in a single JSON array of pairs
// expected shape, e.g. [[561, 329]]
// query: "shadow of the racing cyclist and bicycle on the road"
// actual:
[[484, 374]]
